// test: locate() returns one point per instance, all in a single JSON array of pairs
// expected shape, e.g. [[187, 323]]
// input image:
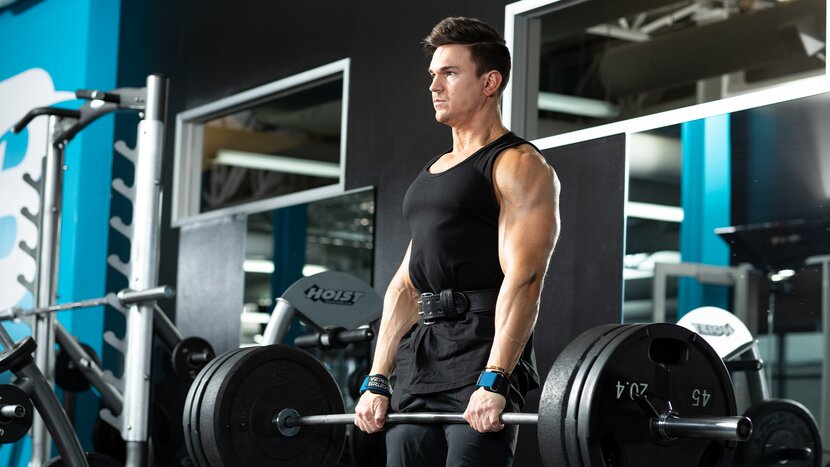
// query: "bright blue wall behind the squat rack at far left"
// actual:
[[76, 43]]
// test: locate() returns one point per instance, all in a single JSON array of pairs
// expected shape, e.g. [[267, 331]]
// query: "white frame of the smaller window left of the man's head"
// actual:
[[187, 168]]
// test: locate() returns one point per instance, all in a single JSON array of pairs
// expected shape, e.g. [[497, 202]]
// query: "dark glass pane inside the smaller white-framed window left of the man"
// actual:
[[282, 144]]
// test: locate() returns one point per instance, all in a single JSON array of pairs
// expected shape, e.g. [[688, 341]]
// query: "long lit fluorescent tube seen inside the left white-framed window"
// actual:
[[252, 160]]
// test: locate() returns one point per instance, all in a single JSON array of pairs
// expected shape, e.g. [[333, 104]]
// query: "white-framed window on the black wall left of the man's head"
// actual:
[[276, 145]]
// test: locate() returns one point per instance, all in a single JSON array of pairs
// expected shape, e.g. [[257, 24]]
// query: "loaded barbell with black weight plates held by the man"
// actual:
[[618, 395]]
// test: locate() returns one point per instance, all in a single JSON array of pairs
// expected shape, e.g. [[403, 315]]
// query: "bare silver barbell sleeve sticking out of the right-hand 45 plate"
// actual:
[[670, 426]]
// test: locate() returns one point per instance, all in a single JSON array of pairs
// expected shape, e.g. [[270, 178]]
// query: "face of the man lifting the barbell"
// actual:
[[457, 91]]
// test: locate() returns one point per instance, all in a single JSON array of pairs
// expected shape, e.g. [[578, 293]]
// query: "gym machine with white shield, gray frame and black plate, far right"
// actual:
[[784, 430]]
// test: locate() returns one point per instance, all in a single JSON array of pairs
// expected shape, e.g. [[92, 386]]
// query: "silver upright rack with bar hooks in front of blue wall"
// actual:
[[126, 398]]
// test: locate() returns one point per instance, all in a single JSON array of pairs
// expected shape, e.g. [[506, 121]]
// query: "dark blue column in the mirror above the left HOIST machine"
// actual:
[[290, 226]]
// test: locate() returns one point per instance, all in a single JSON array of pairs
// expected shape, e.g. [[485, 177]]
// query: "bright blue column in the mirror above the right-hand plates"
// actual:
[[705, 194]]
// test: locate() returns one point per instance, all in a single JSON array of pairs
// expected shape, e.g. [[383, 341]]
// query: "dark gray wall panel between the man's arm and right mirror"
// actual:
[[583, 287]]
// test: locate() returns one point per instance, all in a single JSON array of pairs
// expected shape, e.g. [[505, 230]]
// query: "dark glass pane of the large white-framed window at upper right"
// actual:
[[597, 62]]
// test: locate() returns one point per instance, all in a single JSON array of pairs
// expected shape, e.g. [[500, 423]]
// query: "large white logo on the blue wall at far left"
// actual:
[[21, 154]]
